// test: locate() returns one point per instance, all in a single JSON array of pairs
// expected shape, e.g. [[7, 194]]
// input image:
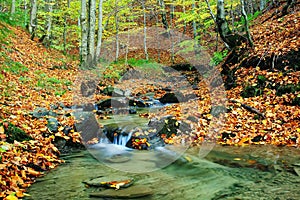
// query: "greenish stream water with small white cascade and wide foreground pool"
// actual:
[[169, 173]]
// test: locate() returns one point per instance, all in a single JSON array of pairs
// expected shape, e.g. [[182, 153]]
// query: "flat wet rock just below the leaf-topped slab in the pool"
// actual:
[[131, 192]]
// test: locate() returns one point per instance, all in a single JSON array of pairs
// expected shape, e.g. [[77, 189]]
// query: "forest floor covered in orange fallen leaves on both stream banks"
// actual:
[[263, 93]]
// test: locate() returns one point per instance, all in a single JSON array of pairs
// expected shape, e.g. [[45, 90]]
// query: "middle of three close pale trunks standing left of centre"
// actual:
[[91, 32]]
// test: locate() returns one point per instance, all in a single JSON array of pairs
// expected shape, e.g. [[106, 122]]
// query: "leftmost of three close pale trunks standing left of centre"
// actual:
[[84, 35]]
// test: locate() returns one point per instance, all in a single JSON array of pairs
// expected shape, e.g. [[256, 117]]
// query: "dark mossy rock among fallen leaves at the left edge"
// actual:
[[14, 133]]
